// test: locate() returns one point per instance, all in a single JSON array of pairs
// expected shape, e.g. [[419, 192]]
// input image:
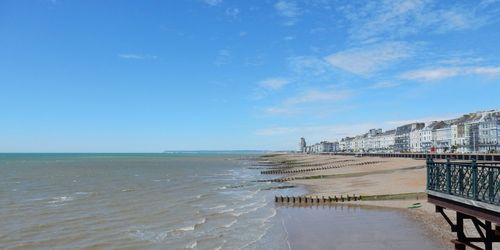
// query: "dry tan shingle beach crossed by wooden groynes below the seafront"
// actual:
[[387, 183]]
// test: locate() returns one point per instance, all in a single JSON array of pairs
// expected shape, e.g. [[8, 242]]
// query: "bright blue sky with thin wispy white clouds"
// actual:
[[148, 76]]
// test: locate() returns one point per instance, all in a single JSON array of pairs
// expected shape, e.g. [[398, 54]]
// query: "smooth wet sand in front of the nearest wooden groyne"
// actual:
[[353, 227]]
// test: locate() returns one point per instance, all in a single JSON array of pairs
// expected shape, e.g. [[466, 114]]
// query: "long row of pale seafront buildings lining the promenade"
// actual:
[[474, 132]]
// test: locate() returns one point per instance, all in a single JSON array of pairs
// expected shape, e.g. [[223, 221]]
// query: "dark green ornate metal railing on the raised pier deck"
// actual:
[[470, 180]]
